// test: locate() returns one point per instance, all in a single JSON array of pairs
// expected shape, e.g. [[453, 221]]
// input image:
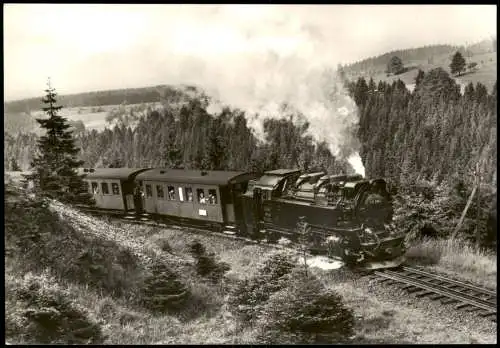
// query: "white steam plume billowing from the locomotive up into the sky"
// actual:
[[255, 58]]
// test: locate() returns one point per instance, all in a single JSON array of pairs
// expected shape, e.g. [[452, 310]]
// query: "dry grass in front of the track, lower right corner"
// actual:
[[382, 320]]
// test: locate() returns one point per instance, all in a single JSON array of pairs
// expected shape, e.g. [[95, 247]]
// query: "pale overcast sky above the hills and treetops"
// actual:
[[93, 47]]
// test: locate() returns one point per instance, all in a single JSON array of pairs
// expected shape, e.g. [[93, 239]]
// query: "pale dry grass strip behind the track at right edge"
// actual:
[[456, 258]]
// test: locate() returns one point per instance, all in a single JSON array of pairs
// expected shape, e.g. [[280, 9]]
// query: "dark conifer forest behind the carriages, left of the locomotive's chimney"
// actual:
[[193, 138]]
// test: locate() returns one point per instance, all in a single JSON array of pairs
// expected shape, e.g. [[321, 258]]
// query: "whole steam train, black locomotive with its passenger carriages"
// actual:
[[343, 216]]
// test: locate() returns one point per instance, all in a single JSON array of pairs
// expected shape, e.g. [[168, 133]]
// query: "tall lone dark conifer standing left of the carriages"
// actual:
[[54, 172]]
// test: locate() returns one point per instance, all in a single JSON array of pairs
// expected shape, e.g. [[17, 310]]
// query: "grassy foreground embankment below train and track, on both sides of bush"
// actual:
[[93, 271]]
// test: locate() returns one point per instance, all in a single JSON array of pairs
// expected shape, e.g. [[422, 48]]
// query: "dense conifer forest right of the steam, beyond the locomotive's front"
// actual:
[[427, 143]]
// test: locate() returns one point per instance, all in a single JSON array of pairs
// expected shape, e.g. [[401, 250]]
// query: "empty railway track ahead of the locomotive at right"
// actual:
[[436, 287]]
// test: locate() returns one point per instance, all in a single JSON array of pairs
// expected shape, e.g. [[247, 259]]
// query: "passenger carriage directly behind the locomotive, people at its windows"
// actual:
[[206, 197]]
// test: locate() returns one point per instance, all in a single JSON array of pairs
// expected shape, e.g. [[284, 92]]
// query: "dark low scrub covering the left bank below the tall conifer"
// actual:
[[40, 240]]
